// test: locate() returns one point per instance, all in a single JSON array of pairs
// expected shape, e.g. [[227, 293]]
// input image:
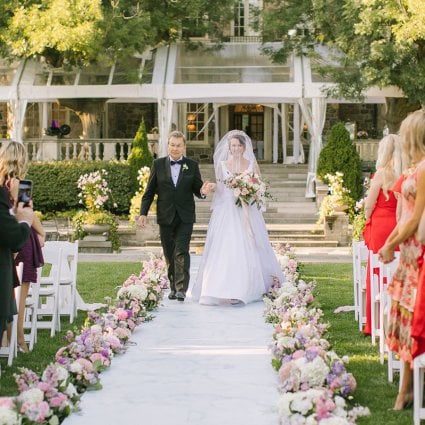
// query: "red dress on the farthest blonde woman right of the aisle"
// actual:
[[378, 227]]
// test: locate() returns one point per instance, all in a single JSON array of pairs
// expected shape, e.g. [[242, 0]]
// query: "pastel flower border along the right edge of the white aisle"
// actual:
[[313, 380]]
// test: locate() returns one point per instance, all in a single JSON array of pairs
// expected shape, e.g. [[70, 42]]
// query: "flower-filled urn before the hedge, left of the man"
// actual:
[[94, 194]]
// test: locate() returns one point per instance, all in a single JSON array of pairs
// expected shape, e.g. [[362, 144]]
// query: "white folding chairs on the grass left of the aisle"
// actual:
[[52, 296]]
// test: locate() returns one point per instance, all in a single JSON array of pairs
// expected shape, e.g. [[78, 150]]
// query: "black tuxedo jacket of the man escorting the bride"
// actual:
[[173, 199]]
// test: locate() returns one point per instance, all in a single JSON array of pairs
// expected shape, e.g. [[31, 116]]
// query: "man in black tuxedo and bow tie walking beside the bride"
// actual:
[[175, 179]]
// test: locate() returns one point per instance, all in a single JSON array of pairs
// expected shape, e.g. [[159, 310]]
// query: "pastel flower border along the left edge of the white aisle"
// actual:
[[51, 397]]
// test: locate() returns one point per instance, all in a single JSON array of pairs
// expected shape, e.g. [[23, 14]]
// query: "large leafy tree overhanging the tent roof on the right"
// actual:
[[382, 43]]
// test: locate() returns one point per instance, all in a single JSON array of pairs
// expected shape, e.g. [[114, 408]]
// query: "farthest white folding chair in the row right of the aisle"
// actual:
[[360, 265]]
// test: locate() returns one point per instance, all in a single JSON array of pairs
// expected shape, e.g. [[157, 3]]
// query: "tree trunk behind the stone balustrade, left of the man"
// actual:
[[90, 113]]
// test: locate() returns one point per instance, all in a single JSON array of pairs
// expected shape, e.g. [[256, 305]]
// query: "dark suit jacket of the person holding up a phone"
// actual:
[[13, 236]]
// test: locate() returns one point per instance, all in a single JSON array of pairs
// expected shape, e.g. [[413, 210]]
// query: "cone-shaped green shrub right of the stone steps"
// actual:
[[340, 155]]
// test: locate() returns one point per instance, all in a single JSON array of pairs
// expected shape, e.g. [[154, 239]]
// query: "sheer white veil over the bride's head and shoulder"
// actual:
[[222, 153]]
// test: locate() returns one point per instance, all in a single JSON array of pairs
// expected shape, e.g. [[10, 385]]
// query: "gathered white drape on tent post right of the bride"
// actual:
[[314, 113]]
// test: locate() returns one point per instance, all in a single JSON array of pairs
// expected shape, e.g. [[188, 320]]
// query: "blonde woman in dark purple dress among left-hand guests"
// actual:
[[13, 167]]
